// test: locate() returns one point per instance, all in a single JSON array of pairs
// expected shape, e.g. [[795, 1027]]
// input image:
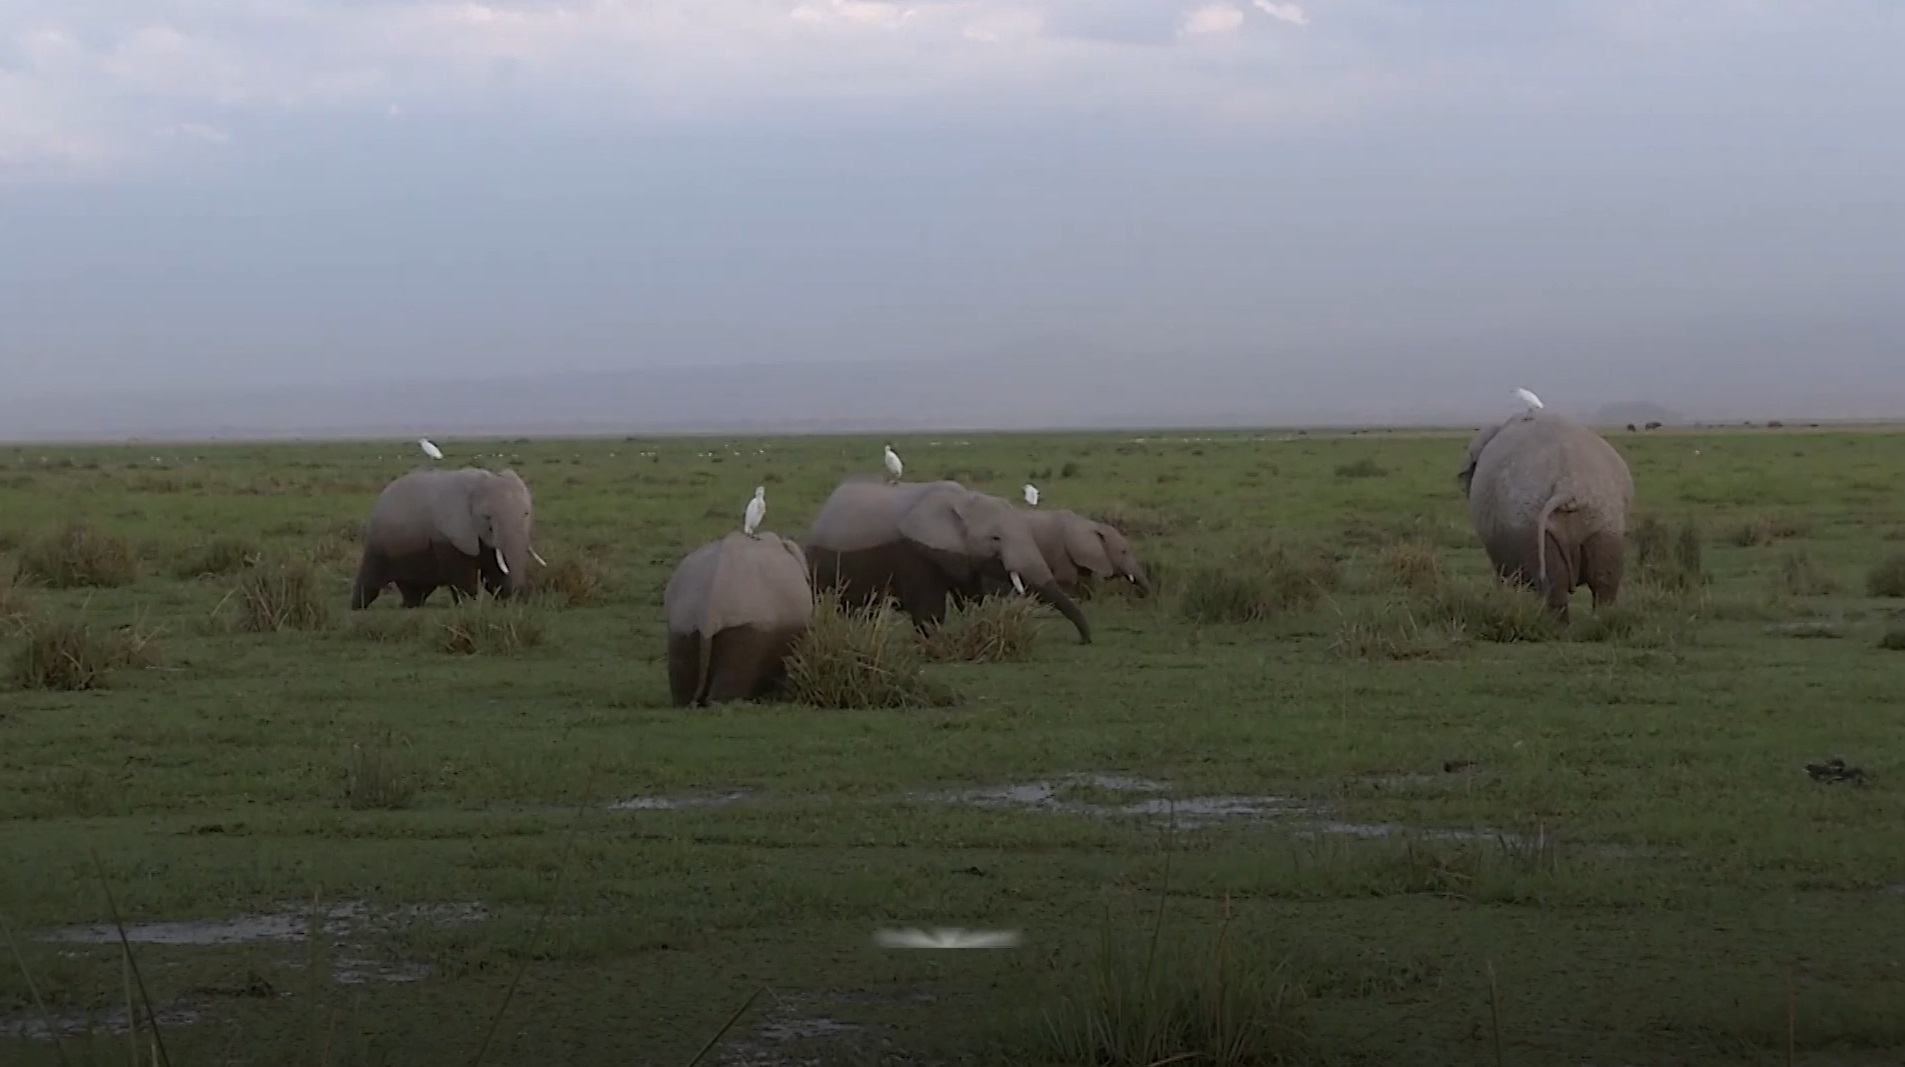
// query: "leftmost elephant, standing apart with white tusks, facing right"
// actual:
[[458, 529]]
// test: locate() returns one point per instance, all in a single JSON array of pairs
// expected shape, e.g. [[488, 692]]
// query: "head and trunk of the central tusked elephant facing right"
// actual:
[[974, 534]]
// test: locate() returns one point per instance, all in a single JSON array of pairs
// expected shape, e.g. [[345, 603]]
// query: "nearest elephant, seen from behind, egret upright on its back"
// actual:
[[734, 611]]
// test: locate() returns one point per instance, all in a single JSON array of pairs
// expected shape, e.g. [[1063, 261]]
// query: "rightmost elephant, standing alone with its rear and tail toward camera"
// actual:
[[1550, 500]]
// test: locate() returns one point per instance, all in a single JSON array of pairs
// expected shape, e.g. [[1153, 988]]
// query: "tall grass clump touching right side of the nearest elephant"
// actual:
[[860, 658]]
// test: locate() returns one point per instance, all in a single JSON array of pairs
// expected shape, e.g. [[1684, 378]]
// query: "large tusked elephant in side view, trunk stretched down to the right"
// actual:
[[921, 542]]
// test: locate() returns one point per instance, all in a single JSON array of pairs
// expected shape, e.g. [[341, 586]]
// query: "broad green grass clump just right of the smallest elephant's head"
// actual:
[[1258, 582]]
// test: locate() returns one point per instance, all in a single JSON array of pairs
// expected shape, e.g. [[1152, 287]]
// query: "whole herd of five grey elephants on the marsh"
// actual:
[[1548, 498]]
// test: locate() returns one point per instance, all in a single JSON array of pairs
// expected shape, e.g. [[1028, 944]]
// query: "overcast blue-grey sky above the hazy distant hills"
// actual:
[[327, 191]]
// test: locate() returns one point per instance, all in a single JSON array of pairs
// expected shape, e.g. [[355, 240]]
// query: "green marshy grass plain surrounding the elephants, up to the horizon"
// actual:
[[1416, 845]]
